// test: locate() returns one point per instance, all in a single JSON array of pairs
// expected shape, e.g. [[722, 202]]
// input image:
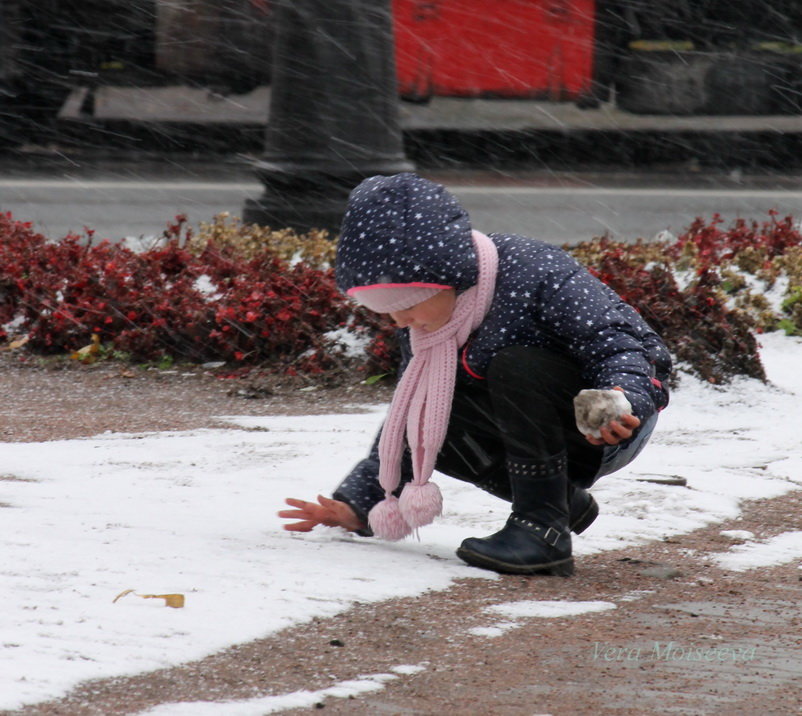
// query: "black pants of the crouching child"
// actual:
[[524, 410]]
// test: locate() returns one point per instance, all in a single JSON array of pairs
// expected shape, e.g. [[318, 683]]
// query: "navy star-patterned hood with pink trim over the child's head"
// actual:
[[404, 229]]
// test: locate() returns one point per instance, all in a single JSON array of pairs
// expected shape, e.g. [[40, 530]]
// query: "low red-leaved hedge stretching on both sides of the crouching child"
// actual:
[[233, 295]]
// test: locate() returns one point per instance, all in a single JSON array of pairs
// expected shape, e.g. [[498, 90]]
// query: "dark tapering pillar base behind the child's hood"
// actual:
[[333, 114]]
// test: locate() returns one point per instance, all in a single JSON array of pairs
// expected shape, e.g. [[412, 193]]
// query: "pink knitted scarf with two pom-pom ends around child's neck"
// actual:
[[421, 406]]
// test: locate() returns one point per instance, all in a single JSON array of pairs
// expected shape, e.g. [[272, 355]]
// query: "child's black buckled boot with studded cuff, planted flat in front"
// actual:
[[536, 538]]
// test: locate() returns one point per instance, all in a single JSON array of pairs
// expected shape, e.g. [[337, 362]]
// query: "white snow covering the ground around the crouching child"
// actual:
[[194, 513]]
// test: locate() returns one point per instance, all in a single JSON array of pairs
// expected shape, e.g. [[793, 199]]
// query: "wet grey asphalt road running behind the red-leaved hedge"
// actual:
[[121, 200]]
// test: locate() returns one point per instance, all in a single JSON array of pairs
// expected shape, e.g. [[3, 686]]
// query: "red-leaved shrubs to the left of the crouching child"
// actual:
[[167, 301]]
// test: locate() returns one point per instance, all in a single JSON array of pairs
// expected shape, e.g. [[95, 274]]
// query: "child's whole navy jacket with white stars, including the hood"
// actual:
[[405, 229]]
